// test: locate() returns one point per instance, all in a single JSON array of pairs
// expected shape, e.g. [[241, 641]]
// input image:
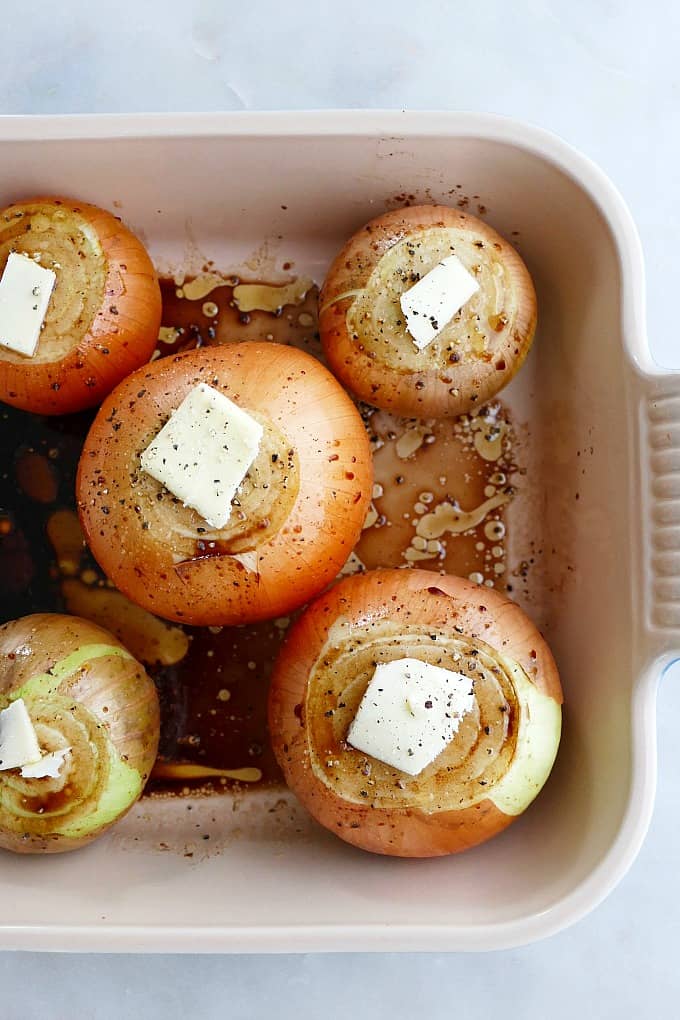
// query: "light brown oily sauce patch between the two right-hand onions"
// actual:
[[440, 493]]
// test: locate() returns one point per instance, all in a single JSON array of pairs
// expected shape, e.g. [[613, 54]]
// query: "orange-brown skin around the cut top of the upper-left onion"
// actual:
[[121, 337]]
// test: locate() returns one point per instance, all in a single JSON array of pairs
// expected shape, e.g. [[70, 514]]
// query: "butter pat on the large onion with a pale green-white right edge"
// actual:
[[410, 712]]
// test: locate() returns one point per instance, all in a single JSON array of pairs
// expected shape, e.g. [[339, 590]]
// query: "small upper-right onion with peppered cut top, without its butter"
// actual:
[[363, 330]]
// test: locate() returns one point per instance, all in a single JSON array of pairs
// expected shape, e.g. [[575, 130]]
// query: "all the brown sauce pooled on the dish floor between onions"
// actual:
[[439, 500]]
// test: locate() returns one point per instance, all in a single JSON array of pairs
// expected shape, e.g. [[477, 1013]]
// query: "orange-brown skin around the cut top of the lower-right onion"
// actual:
[[410, 597]]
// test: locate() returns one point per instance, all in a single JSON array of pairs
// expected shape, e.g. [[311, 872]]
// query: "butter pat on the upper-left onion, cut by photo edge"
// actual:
[[26, 289]]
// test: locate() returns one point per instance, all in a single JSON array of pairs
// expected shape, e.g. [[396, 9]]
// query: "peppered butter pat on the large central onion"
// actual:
[[204, 452]]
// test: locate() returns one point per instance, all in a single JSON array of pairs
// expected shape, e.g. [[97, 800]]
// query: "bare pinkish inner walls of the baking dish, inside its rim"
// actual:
[[254, 860]]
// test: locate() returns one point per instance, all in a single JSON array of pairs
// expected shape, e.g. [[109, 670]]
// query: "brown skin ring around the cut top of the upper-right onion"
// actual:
[[442, 390]]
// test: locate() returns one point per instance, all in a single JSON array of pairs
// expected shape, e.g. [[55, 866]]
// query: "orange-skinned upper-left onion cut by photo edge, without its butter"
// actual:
[[104, 315]]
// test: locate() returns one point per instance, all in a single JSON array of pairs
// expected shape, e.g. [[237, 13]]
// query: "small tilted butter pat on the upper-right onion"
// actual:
[[432, 303]]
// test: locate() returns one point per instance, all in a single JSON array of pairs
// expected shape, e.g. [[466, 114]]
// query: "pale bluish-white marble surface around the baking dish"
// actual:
[[604, 74]]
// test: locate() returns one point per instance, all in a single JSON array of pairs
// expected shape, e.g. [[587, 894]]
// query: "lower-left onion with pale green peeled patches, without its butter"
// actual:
[[79, 685]]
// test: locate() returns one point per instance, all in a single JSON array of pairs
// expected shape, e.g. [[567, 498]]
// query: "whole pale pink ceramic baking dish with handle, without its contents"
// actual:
[[598, 521]]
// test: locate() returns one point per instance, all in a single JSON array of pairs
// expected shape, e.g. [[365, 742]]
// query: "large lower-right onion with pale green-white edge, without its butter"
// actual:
[[493, 769]]
